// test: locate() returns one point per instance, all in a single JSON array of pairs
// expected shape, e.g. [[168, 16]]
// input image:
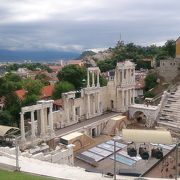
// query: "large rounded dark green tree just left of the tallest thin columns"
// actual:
[[74, 75]]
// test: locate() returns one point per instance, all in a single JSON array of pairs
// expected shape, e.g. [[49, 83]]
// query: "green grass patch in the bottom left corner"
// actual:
[[6, 175]]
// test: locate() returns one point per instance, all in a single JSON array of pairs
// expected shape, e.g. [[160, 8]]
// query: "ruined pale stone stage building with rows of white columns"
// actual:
[[93, 101]]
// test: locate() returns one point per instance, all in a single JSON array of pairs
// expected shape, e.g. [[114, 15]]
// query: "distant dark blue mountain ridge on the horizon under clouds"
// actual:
[[35, 56]]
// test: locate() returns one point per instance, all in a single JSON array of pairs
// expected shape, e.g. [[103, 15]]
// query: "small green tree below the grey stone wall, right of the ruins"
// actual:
[[150, 80]]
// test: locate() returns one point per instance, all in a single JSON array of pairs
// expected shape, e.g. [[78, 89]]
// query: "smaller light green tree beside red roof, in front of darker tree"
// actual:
[[62, 87]]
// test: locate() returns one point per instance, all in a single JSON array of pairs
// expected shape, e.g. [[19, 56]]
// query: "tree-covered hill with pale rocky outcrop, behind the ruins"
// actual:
[[110, 57]]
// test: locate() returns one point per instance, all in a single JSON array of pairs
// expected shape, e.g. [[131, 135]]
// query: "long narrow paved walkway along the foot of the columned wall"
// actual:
[[75, 127]]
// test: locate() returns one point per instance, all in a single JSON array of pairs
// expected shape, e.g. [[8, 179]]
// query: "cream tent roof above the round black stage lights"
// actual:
[[147, 136]]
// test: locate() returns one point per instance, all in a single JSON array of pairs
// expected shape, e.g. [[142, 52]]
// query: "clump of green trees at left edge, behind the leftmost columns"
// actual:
[[12, 104]]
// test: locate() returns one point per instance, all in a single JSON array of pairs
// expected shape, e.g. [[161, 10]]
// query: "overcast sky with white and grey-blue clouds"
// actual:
[[76, 25]]
